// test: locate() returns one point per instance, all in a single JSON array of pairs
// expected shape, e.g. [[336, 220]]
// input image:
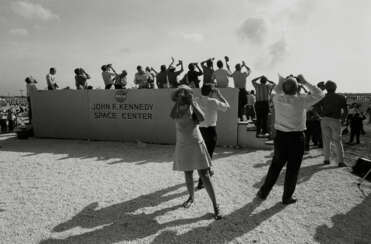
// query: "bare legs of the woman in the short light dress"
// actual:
[[205, 177]]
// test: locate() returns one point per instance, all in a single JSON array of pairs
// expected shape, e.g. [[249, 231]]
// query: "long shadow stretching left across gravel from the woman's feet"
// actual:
[[119, 222]]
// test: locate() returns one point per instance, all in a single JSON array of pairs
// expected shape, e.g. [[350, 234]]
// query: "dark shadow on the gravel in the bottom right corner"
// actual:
[[351, 227]]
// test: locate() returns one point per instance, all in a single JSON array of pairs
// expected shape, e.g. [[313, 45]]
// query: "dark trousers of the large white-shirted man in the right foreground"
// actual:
[[288, 148]]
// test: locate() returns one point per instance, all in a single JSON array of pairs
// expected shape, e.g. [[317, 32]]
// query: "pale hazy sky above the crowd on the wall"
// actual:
[[328, 39]]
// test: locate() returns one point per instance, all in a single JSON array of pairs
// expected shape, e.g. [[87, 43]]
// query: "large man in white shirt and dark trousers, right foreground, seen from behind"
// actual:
[[290, 118]]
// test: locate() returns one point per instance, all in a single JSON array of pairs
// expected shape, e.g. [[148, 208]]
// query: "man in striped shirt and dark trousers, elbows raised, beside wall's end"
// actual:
[[263, 93]]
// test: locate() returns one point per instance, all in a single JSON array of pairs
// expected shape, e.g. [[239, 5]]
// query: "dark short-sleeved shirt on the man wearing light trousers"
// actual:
[[331, 105]]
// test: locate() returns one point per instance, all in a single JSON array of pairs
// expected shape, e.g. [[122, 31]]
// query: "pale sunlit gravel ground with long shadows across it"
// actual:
[[66, 191]]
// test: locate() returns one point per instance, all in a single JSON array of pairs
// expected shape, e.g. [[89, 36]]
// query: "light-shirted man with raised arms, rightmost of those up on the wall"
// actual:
[[239, 79]]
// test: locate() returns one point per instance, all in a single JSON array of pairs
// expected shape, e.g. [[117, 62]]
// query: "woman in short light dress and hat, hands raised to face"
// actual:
[[190, 150]]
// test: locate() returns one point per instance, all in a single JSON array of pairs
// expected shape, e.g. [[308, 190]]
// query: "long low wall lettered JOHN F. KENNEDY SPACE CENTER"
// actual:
[[124, 115]]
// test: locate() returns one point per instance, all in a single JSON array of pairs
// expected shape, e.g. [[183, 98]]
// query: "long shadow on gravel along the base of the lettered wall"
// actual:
[[97, 150]]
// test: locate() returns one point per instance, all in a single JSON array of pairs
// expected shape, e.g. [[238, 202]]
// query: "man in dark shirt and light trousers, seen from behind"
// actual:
[[331, 107]]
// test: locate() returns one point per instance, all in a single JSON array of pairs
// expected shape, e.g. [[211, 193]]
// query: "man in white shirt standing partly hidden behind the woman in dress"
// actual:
[[210, 102]]
